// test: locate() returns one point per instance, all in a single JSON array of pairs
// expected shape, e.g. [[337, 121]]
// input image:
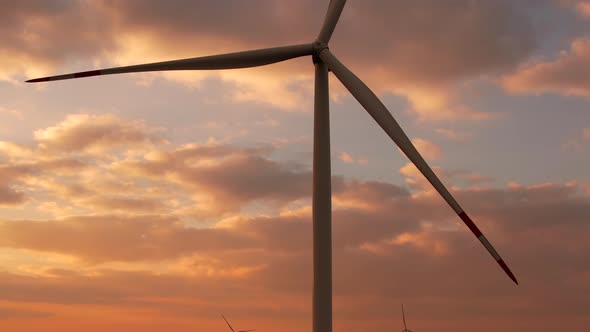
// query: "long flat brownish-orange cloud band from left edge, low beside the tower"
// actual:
[[117, 238]]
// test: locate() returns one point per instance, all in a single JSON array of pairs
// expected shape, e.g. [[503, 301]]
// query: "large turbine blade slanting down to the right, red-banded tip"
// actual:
[[379, 112]]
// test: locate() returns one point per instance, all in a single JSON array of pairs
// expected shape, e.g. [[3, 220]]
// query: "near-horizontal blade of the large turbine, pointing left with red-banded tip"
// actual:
[[222, 61]]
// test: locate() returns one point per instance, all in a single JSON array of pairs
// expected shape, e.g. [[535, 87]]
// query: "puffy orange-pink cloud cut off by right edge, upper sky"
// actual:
[[566, 75]]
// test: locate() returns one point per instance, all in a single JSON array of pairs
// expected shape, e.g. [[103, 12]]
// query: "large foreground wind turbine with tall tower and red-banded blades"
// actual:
[[323, 60]]
